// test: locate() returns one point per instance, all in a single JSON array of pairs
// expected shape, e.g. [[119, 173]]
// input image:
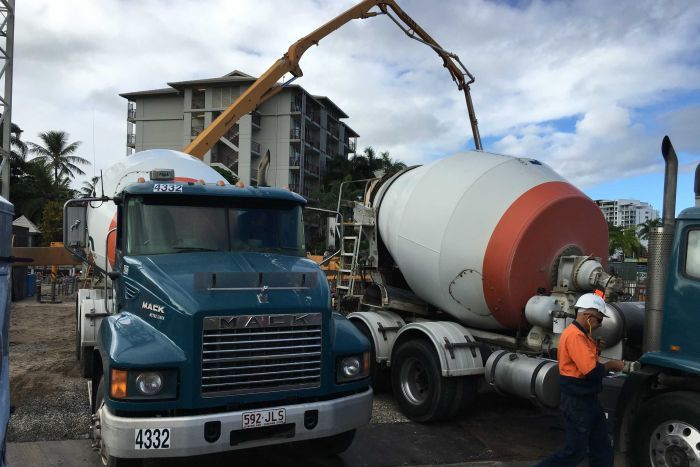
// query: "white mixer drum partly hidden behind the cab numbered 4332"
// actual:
[[102, 217]]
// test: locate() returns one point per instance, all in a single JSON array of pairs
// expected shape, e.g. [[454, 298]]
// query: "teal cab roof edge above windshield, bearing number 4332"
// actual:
[[191, 188]]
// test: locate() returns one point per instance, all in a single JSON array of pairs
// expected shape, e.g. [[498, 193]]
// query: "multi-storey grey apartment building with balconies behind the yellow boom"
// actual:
[[301, 131]]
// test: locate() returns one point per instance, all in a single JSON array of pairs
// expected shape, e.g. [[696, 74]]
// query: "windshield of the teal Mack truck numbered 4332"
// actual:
[[156, 225]]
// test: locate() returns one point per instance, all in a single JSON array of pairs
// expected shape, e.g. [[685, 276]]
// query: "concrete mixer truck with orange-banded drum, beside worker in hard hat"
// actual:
[[475, 263]]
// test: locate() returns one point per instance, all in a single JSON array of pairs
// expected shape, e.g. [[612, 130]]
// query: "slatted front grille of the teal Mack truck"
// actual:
[[260, 353]]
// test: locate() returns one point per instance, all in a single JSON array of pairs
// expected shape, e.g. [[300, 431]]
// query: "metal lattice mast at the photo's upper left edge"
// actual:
[[7, 42]]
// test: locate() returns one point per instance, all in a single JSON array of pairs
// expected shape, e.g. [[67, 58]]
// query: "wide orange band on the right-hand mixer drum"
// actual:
[[539, 225]]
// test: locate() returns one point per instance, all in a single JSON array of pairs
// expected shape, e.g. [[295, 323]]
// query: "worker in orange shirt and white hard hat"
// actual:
[[581, 379]]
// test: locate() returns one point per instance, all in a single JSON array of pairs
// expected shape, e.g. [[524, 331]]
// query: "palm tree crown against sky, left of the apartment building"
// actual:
[[57, 153]]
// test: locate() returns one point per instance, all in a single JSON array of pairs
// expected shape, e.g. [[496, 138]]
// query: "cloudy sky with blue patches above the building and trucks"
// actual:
[[589, 87]]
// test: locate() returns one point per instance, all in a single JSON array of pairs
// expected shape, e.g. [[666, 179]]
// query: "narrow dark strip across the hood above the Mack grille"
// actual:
[[254, 280]]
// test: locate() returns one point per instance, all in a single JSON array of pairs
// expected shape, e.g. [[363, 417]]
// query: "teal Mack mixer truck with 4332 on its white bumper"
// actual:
[[211, 331]]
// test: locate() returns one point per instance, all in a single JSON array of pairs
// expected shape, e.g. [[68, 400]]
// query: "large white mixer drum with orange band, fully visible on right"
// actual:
[[477, 234]]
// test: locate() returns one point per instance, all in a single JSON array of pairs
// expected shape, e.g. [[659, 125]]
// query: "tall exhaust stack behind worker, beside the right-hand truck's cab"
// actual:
[[660, 243]]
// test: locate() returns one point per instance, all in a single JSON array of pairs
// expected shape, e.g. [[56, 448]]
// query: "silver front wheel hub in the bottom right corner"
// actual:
[[675, 444]]
